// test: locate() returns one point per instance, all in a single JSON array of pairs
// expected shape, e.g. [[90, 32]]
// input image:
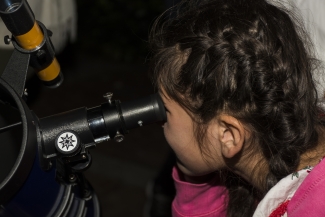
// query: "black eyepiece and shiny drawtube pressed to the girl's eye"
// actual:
[[115, 117]]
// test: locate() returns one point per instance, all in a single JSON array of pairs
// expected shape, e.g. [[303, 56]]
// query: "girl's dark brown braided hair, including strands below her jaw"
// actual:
[[247, 58]]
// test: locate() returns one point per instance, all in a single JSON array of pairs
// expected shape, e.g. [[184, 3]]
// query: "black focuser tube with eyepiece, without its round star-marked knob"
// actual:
[[111, 120]]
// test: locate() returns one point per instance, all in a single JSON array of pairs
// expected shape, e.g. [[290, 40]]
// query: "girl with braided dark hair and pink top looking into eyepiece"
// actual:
[[242, 115]]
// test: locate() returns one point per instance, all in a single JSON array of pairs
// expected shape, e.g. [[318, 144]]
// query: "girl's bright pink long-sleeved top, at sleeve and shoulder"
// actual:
[[209, 199]]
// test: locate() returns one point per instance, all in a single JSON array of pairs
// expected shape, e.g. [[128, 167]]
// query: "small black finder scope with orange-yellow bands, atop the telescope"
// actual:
[[31, 37]]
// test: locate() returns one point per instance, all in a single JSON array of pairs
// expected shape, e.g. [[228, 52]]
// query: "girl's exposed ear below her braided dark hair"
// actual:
[[231, 135]]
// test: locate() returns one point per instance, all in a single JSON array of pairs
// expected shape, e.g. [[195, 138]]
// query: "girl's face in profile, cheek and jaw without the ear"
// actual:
[[179, 133]]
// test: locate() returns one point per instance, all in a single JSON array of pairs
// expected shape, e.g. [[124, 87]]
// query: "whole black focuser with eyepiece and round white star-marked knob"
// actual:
[[69, 135]]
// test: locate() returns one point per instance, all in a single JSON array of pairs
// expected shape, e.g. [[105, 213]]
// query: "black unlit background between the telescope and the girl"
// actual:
[[110, 55]]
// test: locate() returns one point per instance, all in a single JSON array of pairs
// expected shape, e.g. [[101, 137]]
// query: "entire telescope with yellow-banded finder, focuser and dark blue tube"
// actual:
[[43, 158]]
